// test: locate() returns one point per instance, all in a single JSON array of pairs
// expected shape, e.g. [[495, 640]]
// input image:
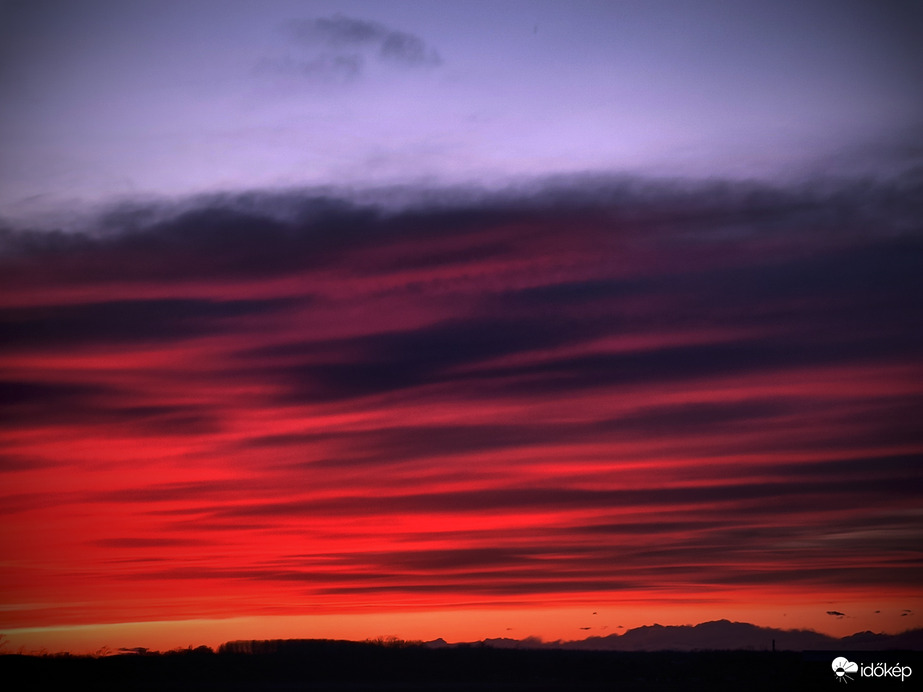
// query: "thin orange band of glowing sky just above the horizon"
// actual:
[[560, 623]]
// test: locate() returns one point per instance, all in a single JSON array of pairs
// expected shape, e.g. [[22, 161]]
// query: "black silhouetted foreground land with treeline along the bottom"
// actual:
[[352, 667]]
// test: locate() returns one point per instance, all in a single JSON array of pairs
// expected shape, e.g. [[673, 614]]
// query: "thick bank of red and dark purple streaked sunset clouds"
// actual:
[[583, 391]]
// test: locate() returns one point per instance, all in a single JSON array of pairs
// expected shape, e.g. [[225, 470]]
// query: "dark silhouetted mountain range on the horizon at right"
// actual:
[[719, 635]]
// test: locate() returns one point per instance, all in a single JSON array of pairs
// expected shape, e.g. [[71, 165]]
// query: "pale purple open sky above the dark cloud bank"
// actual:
[[111, 99]]
